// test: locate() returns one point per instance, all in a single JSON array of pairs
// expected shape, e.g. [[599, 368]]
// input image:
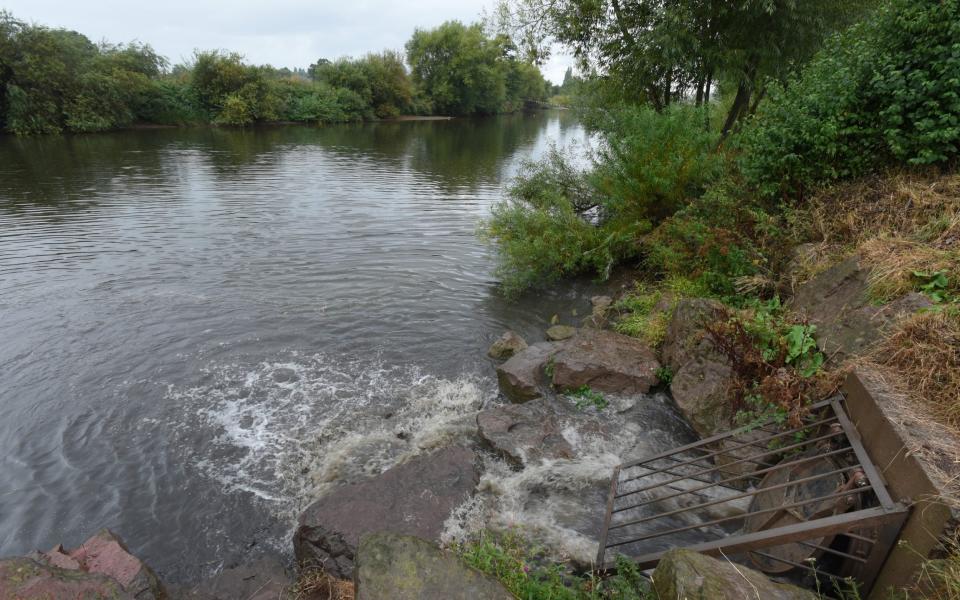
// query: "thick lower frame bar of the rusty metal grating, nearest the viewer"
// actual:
[[786, 534]]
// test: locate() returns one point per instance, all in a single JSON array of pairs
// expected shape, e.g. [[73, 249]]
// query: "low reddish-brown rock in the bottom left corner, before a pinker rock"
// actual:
[[28, 579]]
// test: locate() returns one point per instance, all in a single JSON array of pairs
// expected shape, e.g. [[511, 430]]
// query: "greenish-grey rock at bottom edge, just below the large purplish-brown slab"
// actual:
[[399, 567]]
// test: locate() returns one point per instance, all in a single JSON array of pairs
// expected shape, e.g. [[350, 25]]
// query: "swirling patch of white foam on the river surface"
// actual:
[[288, 431]]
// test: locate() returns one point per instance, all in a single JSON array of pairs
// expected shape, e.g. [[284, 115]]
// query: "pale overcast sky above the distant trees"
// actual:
[[284, 33]]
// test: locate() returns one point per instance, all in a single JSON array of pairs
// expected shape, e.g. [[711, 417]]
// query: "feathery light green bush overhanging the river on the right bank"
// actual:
[[560, 221]]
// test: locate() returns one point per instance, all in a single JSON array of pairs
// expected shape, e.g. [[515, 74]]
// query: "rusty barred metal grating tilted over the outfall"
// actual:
[[792, 502]]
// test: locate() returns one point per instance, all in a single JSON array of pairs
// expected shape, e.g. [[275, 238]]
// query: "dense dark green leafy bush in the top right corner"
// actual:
[[887, 91]]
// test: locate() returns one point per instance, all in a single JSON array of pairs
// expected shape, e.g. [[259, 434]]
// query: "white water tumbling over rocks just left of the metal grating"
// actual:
[[560, 502]]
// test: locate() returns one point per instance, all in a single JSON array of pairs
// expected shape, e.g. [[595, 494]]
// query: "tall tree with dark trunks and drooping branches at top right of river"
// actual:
[[659, 51]]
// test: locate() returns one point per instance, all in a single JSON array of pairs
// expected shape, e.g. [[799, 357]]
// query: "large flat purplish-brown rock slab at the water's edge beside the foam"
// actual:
[[414, 498]]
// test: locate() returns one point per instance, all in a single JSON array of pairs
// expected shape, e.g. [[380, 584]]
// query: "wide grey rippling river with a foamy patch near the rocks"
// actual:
[[202, 329]]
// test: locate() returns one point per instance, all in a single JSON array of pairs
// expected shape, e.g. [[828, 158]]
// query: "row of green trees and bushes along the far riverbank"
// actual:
[[54, 80]]
